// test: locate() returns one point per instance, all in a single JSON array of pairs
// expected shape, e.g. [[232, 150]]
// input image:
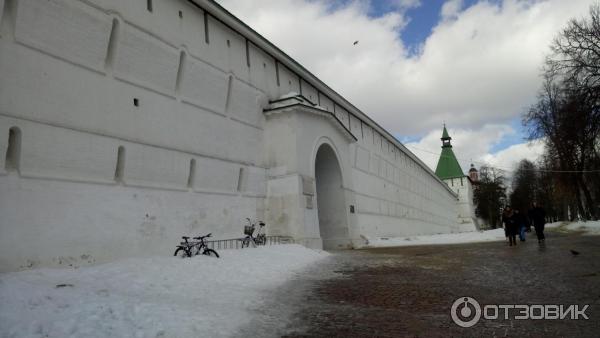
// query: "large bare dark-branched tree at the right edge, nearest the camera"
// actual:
[[567, 113]]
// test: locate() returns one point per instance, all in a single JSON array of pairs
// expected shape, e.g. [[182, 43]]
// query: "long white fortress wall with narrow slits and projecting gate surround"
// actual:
[[182, 95]]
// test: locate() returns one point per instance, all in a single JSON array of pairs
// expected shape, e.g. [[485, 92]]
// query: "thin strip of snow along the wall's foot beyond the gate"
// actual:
[[454, 238]]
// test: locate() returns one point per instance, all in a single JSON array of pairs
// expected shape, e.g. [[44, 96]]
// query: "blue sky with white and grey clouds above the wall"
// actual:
[[474, 64]]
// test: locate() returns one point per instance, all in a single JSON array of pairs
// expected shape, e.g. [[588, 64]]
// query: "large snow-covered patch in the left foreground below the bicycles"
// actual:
[[148, 297]]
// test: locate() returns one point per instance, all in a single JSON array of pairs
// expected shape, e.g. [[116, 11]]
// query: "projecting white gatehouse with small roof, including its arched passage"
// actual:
[[308, 192]]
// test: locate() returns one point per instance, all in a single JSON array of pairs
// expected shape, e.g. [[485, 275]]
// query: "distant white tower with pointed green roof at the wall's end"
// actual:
[[448, 170]]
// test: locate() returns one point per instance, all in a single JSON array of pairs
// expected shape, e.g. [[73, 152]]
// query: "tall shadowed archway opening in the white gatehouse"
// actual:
[[331, 206]]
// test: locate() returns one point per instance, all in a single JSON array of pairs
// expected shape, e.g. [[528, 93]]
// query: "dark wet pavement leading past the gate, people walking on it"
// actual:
[[409, 291]]
